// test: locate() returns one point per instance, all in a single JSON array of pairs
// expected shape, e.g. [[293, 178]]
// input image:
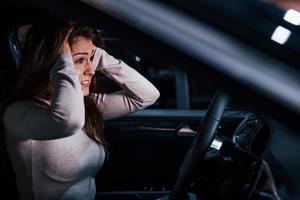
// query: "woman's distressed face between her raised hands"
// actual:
[[83, 52]]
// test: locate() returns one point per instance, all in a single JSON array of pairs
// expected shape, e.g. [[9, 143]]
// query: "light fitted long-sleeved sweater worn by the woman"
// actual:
[[52, 157]]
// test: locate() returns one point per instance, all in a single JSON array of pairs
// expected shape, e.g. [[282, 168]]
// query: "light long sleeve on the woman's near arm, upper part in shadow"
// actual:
[[28, 120]]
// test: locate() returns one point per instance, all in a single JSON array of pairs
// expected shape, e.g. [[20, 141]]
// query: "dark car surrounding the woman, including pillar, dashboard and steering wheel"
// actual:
[[214, 133]]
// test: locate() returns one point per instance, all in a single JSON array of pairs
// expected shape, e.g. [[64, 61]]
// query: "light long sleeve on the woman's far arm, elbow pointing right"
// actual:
[[137, 92]]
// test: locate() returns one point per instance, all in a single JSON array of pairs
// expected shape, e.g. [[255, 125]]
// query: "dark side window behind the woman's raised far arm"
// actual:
[[178, 88]]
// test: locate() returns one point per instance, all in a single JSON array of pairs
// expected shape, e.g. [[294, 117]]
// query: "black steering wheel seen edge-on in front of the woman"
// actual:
[[200, 145]]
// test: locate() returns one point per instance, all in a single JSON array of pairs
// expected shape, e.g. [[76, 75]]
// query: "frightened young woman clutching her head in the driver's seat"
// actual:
[[53, 123]]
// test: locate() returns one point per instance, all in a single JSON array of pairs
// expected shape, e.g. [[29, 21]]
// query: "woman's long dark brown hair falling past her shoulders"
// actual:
[[40, 50]]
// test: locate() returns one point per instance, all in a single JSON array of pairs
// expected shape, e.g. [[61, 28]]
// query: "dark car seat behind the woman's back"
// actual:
[[10, 57]]
